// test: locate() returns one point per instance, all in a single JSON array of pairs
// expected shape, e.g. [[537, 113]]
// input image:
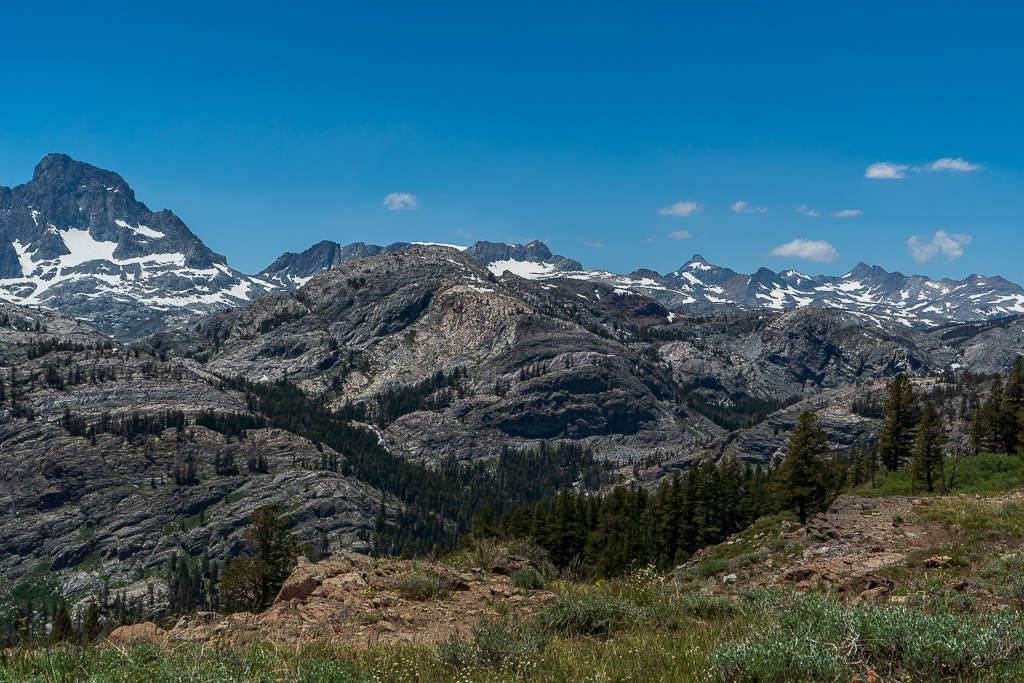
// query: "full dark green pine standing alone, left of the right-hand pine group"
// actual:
[[799, 480]]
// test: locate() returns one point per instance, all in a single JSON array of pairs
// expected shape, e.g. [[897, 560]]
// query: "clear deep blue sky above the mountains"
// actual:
[[271, 126]]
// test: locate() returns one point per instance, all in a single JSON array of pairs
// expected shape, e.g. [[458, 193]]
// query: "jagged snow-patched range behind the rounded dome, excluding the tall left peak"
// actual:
[[701, 288]]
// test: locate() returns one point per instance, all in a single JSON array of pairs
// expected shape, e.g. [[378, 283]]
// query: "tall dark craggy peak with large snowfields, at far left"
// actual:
[[75, 239]]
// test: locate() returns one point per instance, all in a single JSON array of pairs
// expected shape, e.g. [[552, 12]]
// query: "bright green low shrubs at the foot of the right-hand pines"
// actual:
[[983, 475]]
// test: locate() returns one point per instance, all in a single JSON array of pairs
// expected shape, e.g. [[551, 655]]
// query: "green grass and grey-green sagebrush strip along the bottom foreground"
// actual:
[[592, 634]]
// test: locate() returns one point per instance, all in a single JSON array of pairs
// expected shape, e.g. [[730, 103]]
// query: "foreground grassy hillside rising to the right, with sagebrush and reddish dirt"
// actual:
[[958, 620]]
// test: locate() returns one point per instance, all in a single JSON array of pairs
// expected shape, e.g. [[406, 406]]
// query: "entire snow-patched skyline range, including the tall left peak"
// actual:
[[76, 240]]
